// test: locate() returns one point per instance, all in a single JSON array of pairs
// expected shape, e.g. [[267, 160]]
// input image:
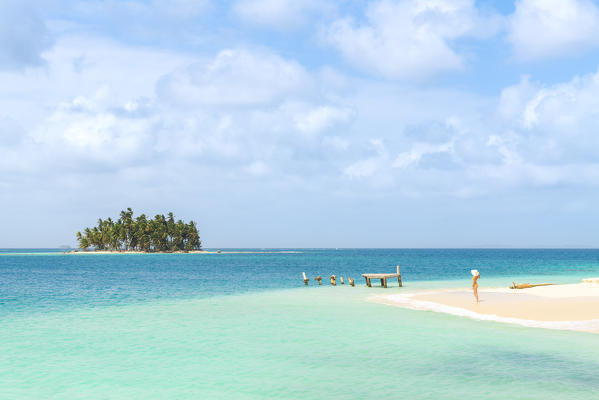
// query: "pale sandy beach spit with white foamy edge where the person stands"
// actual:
[[562, 307]]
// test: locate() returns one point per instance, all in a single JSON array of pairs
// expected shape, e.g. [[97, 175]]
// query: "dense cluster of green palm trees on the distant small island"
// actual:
[[160, 234]]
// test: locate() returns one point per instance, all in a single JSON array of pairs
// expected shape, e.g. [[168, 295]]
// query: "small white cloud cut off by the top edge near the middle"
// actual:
[[280, 14]]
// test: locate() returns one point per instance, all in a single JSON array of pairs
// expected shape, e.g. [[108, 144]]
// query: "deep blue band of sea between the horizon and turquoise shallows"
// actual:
[[39, 281]]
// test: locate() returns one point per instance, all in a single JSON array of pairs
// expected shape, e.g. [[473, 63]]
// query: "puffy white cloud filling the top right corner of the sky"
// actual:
[[553, 28]]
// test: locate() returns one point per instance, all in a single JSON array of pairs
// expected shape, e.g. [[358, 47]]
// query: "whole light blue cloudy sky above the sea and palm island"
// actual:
[[303, 123]]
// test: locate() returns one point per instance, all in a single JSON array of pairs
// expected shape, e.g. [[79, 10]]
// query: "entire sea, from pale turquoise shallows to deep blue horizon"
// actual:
[[242, 326]]
